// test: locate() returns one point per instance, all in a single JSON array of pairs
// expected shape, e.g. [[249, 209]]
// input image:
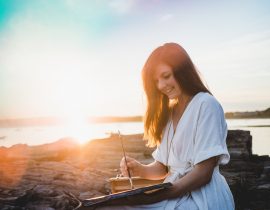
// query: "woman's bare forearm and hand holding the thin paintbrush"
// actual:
[[153, 171]]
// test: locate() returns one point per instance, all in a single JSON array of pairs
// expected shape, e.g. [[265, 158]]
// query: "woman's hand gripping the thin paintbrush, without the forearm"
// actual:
[[133, 165]]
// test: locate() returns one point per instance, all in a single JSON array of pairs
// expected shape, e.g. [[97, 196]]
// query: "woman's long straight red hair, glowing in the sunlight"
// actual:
[[187, 77]]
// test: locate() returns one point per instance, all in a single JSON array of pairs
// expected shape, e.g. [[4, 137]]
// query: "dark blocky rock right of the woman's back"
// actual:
[[248, 175]]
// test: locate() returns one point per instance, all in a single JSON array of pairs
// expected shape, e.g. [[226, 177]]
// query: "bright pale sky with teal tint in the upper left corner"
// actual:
[[79, 57]]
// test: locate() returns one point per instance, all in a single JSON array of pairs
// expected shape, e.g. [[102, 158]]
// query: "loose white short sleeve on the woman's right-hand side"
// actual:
[[211, 133]]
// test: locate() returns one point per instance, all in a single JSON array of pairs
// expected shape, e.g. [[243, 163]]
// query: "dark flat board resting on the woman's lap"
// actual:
[[102, 200]]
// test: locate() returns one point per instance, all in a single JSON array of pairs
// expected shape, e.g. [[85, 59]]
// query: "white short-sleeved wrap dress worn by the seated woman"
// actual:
[[200, 134]]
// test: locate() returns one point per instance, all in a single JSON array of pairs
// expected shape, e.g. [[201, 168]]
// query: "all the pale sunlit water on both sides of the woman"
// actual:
[[36, 135]]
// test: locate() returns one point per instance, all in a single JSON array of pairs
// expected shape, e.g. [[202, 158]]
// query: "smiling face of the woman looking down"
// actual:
[[165, 81]]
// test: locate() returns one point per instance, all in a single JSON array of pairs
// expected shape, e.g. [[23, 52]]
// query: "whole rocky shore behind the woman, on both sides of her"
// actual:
[[46, 176]]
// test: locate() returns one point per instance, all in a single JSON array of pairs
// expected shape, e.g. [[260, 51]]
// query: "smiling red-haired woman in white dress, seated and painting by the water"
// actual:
[[187, 125]]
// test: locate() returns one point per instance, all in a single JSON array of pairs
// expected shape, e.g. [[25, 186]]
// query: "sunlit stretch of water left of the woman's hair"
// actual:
[[82, 132]]
